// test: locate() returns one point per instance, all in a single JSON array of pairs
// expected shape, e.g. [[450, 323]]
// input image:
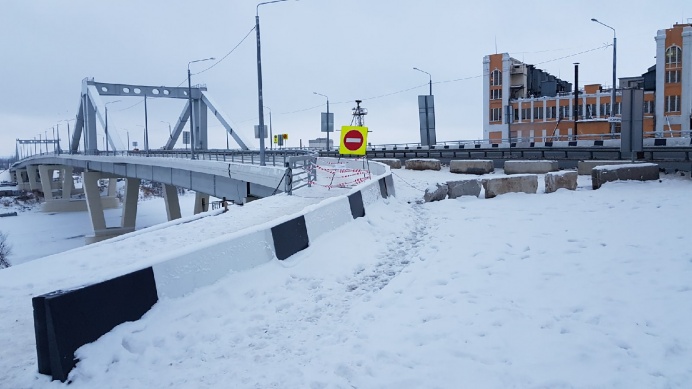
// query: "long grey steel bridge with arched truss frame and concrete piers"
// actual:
[[237, 176]]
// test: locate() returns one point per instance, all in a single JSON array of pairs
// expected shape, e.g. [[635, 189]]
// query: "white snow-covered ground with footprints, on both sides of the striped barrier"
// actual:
[[574, 289]]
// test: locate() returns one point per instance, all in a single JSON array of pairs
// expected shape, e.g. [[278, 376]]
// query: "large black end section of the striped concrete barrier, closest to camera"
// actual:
[[66, 320]]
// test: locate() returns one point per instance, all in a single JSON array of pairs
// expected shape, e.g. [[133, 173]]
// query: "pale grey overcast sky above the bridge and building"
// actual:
[[346, 49]]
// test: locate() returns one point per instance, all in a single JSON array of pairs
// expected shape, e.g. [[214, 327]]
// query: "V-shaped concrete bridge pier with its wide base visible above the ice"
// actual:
[[96, 204]]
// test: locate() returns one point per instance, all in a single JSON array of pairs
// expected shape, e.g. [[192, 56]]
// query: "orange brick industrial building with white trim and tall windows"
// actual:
[[525, 104]]
